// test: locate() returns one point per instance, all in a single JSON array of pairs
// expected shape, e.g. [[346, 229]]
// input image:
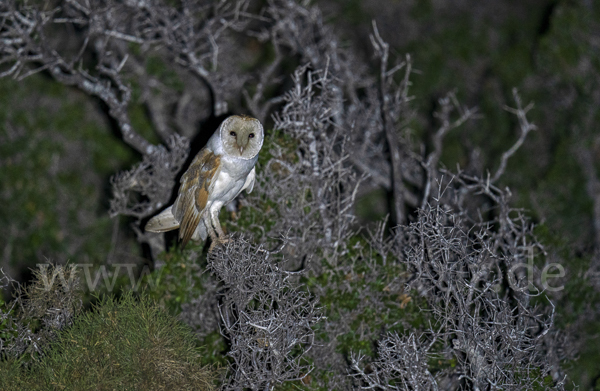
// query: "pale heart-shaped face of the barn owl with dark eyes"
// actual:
[[242, 136]]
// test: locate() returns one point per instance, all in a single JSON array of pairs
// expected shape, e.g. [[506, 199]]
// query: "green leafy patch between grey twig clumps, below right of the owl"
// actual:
[[362, 295]]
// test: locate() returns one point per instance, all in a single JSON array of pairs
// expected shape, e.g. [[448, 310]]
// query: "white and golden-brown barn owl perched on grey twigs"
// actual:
[[218, 174]]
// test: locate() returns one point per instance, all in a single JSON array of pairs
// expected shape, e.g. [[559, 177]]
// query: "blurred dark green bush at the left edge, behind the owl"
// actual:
[[55, 159]]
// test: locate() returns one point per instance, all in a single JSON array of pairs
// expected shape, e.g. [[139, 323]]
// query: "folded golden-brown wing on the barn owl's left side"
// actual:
[[196, 184]]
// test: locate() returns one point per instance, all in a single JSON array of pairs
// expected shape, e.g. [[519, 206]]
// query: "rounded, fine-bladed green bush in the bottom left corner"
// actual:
[[120, 345]]
